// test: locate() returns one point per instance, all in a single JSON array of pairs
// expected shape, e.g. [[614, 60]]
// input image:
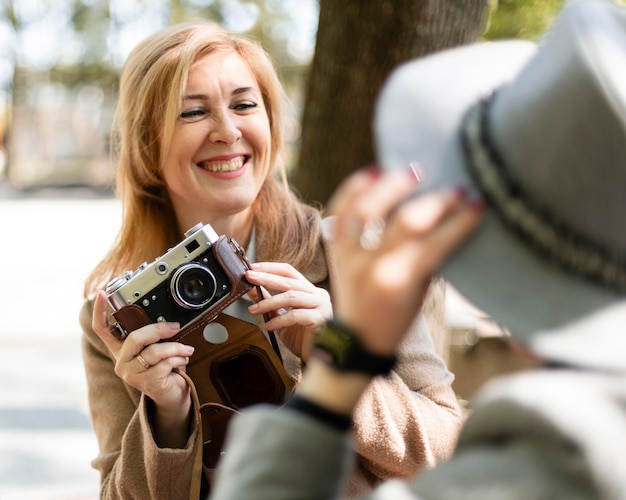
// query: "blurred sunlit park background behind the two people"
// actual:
[[59, 68]]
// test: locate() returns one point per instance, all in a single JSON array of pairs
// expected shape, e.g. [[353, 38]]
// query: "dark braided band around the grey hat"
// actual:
[[536, 225]]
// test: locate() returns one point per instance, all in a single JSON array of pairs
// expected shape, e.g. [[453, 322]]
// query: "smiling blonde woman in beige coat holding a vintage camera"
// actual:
[[200, 139]]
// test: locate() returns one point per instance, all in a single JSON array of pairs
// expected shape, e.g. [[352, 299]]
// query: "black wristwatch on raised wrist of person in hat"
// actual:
[[338, 346]]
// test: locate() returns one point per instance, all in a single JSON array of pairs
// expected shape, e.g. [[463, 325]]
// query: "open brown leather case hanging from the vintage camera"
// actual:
[[243, 370]]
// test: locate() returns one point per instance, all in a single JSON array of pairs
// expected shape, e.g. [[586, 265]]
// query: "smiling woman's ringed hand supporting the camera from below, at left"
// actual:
[[149, 365]]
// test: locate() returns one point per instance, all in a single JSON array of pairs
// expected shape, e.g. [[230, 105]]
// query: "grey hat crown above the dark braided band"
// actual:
[[560, 126]]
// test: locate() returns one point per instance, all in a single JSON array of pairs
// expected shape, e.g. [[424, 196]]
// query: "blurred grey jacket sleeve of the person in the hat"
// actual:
[[282, 455]]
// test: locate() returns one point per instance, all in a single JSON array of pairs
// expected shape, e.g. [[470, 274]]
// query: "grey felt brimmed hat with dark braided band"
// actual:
[[539, 131]]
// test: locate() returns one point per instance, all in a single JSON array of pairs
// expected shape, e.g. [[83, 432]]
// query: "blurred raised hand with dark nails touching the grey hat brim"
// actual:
[[381, 288]]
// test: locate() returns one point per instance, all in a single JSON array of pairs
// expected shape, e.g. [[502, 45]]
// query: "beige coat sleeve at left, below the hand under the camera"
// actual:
[[130, 463]]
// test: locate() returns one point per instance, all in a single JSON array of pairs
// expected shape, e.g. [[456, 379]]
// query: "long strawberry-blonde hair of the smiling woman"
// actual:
[[151, 88]]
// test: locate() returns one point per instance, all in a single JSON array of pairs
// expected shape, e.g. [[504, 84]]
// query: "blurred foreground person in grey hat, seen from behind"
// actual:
[[537, 134]]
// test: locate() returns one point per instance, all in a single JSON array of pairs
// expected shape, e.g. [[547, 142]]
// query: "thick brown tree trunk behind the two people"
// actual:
[[359, 42]]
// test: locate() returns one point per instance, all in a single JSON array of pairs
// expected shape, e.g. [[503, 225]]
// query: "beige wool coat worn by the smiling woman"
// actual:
[[404, 423]]
